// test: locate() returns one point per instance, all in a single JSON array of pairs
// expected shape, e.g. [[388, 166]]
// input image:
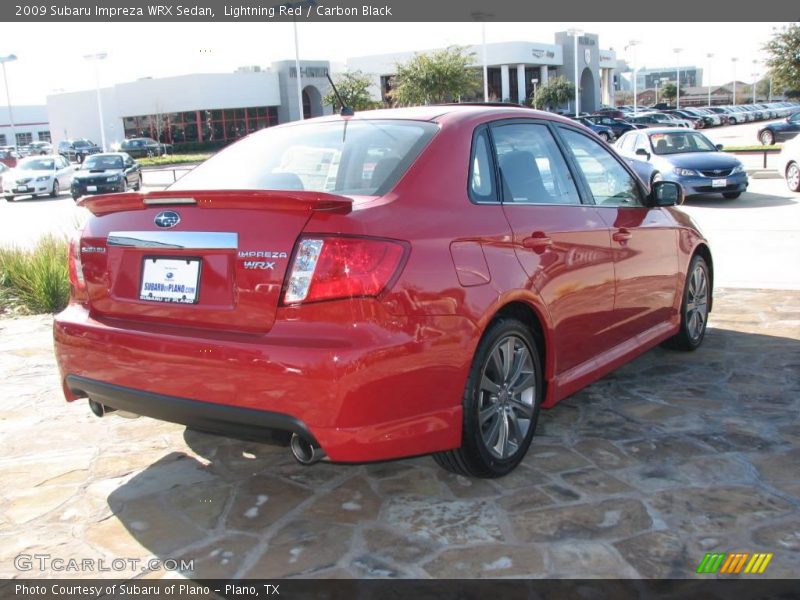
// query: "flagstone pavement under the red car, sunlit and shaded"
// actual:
[[639, 475]]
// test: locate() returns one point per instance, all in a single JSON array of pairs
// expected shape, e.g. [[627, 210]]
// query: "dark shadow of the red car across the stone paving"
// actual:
[[638, 475]]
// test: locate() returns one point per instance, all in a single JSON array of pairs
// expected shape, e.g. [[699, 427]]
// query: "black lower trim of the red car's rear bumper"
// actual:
[[219, 418]]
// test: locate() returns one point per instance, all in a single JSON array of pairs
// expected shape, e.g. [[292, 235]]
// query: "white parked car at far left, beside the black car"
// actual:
[[36, 175]]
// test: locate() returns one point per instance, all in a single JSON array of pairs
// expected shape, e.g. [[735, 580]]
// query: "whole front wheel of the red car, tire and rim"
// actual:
[[694, 307]]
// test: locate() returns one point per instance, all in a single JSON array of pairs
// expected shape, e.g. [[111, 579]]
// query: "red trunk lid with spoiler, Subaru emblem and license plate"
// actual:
[[202, 259]]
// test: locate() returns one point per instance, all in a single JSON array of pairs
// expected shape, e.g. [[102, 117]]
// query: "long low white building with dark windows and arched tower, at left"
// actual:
[[197, 108]]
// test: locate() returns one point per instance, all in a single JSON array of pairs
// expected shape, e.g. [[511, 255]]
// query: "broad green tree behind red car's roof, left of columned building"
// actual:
[[440, 76]]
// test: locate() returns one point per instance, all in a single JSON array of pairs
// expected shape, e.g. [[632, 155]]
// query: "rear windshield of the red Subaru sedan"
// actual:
[[363, 157]]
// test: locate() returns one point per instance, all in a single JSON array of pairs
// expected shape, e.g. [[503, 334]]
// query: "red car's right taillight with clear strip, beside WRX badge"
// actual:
[[326, 268]]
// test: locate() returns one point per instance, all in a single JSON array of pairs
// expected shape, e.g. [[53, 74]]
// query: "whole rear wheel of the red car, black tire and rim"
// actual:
[[502, 410]]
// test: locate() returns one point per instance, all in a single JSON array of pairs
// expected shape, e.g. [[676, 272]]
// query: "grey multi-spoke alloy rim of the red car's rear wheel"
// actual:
[[507, 394]]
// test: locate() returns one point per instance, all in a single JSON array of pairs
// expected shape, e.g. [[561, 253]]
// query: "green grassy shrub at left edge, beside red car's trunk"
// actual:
[[36, 279]]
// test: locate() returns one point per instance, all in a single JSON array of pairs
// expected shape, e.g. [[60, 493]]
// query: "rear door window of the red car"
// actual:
[[532, 168]]
